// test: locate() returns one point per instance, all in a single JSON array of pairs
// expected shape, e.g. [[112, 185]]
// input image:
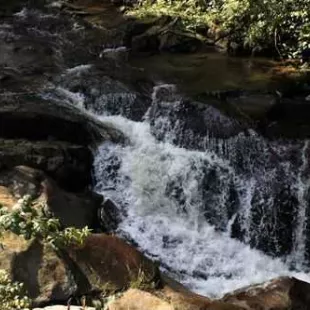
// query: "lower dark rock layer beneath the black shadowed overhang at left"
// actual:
[[69, 164]]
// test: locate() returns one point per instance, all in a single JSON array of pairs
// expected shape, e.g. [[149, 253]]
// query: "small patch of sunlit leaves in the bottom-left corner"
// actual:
[[12, 294]]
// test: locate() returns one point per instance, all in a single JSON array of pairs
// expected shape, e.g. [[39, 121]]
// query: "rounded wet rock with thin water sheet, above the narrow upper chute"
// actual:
[[106, 92]]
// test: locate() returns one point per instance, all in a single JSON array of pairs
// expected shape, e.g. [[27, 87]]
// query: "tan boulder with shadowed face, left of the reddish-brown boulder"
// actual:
[[45, 275]]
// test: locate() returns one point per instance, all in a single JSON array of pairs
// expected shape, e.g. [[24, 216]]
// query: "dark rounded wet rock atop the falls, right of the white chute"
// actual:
[[191, 122]]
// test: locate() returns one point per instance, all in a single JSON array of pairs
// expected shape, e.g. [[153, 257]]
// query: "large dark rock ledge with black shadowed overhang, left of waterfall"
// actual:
[[54, 137]]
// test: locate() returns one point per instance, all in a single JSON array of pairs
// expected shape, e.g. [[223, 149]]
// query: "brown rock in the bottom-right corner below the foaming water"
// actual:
[[281, 294]]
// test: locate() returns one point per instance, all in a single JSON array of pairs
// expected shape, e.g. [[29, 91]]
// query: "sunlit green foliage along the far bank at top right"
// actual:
[[280, 25]]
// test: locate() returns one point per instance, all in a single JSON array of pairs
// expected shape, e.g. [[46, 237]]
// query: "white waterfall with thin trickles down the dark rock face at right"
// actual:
[[183, 206]]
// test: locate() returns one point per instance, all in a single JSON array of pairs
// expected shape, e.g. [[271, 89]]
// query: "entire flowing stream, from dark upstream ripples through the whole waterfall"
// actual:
[[218, 213]]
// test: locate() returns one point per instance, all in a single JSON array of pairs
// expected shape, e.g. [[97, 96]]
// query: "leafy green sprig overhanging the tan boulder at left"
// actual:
[[27, 221]]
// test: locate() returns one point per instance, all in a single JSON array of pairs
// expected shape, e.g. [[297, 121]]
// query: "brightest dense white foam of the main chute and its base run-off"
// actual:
[[210, 262]]
